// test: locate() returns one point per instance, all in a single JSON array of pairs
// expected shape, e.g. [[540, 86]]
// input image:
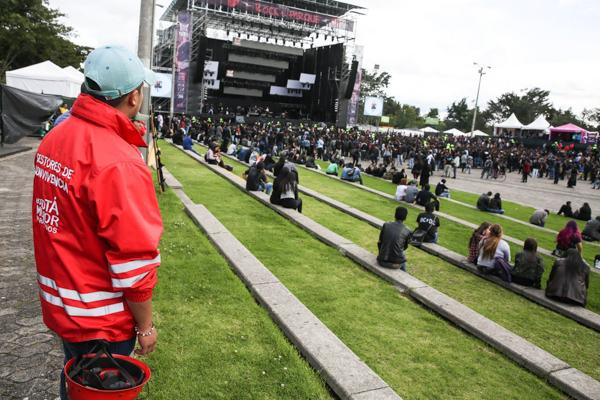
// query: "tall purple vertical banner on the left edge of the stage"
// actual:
[[182, 60]]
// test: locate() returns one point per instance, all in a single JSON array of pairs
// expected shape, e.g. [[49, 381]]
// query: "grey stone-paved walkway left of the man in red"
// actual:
[[30, 356]]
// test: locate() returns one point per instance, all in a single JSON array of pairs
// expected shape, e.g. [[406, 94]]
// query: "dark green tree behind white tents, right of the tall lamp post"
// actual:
[[526, 107]]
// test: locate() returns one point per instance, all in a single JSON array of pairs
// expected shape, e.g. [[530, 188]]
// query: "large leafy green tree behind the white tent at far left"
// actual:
[[30, 33]]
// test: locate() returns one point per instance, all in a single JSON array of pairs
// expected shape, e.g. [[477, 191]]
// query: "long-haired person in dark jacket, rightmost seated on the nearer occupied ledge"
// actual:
[[569, 279]]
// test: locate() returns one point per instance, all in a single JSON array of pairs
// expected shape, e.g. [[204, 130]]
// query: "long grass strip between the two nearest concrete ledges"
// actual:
[[419, 354]]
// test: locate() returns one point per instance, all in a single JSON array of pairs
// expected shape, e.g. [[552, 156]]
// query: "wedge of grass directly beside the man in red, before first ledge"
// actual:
[[215, 341]]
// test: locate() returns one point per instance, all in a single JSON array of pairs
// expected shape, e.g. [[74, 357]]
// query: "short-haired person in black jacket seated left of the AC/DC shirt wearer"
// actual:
[[393, 241]]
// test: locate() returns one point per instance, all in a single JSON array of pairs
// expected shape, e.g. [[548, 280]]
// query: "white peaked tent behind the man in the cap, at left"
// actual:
[[46, 77]]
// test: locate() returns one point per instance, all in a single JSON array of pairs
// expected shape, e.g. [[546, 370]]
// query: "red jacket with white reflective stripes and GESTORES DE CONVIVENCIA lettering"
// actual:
[[96, 224]]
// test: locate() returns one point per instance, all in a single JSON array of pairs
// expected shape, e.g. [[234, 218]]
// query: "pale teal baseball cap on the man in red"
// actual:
[[114, 71]]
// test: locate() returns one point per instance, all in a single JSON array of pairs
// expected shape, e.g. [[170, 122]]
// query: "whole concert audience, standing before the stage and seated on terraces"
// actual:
[[258, 144]]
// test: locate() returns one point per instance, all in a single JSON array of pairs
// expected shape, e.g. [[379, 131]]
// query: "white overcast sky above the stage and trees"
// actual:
[[429, 46]]
